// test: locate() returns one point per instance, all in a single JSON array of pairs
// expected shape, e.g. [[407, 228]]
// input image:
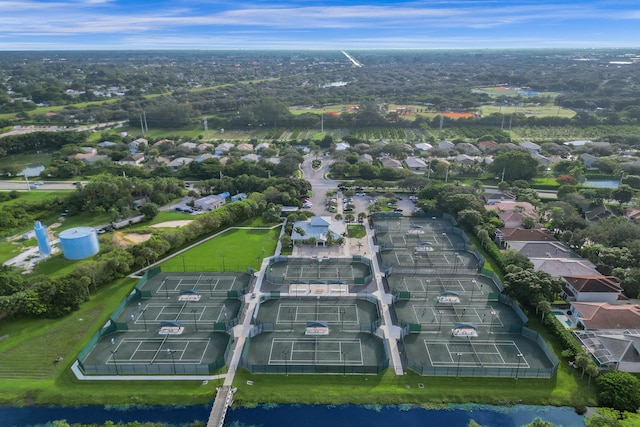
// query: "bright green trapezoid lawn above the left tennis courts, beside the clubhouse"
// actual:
[[233, 250]]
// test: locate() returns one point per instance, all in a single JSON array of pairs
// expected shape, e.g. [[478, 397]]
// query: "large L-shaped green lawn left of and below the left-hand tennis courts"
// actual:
[[30, 376]]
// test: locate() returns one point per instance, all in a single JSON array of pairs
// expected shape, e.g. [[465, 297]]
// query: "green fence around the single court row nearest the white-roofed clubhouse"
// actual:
[[282, 280]]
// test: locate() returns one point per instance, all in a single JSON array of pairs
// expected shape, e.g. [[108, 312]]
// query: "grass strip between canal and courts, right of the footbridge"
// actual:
[[388, 388]]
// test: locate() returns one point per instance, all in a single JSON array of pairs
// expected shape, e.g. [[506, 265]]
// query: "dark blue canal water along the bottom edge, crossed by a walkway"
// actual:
[[296, 415]]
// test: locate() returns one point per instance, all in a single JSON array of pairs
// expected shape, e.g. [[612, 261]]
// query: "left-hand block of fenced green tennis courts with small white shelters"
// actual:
[[172, 324]]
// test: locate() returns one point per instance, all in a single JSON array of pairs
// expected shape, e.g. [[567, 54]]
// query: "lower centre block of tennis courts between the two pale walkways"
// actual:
[[316, 335]]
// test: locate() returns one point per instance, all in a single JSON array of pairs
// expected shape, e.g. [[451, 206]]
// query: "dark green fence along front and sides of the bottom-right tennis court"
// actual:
[[518, 371]]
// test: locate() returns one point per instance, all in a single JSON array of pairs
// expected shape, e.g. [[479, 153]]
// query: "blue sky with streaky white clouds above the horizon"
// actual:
[[315, 24]]
